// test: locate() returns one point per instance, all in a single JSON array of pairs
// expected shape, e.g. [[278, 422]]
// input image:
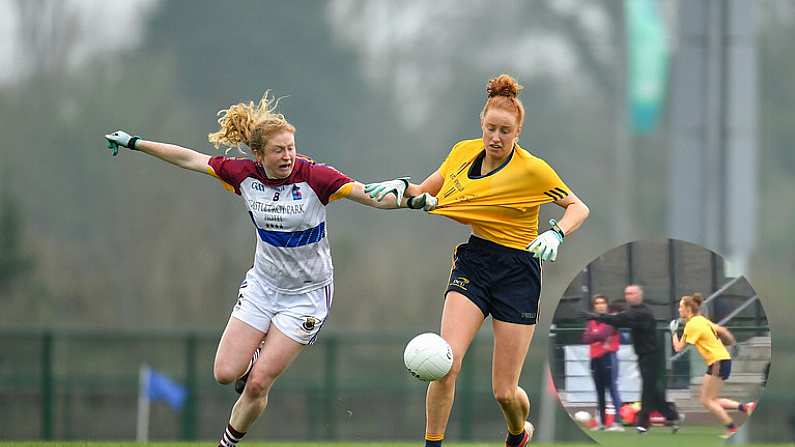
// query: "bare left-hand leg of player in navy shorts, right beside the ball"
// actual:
[[461, 319]]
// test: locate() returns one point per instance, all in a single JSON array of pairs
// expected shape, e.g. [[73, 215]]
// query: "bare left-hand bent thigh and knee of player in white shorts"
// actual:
[[235, 349]]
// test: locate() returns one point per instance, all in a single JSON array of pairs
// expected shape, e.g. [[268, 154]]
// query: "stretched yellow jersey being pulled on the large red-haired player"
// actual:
[[501, 206]]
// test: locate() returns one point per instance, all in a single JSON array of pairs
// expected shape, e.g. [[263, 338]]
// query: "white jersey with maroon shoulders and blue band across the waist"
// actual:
[[293, 253]]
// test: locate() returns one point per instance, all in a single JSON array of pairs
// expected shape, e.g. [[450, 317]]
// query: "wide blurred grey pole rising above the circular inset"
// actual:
[[713, 164]]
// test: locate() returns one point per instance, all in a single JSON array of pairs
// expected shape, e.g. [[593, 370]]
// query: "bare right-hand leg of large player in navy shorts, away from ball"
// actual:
[[511, 342]]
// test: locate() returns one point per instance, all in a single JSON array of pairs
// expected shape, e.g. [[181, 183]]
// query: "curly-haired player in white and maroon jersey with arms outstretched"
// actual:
[[286, 296]]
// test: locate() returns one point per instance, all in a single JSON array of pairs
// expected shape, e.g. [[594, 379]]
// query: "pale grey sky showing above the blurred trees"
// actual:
[[413, 46]]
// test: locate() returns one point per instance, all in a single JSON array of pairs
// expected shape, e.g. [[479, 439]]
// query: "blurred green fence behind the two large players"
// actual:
[[84, 385]]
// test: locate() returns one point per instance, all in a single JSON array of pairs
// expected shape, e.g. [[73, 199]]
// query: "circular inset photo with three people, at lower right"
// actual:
[[656, 338]]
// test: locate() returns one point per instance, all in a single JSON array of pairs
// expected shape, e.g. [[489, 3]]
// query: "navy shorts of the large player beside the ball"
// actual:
[[502, 281]]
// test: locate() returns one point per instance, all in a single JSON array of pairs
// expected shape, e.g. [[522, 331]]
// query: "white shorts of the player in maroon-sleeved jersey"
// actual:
[[298, 316]]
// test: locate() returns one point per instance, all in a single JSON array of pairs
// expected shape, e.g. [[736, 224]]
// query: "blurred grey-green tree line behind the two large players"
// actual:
[[128, 242]]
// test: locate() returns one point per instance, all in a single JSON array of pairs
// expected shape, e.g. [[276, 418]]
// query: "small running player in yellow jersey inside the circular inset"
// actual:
[[706, 336]]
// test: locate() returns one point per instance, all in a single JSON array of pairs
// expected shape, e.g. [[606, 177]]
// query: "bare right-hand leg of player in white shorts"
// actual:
[[278, 352]]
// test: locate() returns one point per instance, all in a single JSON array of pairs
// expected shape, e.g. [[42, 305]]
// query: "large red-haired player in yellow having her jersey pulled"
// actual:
[[497, 187]]
